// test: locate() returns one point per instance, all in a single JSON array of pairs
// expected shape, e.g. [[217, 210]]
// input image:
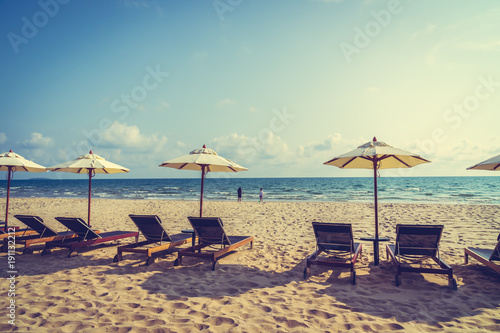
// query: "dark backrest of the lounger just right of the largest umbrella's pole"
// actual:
[[418, 240]]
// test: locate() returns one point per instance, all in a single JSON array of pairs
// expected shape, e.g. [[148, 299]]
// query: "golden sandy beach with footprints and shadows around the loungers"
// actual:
[[253, 290]]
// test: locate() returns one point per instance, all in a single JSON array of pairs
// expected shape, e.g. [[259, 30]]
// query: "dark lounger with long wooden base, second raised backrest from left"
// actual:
[[86, 236]]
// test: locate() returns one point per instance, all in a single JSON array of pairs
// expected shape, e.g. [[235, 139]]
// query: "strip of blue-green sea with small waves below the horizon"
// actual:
[[450, 190]]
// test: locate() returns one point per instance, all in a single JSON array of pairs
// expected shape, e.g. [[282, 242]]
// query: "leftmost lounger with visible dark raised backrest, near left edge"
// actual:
[[43, 233]]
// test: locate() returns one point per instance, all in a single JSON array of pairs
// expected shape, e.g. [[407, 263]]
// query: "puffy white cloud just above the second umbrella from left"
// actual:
[[120, 135]]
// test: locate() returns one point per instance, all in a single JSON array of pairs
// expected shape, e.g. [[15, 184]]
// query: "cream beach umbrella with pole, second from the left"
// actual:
[[89, 164]]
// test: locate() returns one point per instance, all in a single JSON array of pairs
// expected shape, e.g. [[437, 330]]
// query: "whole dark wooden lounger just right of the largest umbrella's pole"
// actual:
[[414, 245]]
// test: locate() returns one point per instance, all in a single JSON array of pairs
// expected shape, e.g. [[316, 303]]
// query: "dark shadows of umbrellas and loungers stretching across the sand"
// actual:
[[421, 298]]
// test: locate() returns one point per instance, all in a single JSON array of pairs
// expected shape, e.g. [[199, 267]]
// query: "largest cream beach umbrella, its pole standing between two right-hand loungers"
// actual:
[[376, 155]]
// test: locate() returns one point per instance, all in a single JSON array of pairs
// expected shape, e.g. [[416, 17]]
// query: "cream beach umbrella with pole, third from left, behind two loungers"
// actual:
[[204, 160]]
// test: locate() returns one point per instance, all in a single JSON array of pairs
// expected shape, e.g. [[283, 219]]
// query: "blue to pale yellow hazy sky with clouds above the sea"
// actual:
[[278, 86]]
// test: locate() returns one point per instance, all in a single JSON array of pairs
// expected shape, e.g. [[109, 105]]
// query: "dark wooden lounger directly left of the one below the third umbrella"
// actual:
[[151, 228]]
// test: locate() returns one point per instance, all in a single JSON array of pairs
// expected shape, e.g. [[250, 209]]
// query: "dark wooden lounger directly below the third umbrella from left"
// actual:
[[210, 233]]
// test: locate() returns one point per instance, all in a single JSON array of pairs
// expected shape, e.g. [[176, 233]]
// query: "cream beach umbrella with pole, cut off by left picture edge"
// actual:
[[12, 162]]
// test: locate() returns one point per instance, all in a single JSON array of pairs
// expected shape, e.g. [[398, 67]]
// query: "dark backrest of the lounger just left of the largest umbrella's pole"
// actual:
[[334, 236]]
